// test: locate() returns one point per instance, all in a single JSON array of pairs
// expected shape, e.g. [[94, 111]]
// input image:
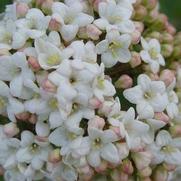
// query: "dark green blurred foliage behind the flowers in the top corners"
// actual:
[[170, 7]]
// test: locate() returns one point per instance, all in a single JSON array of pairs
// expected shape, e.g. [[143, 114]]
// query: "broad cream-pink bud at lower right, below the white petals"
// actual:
[[141, 159]]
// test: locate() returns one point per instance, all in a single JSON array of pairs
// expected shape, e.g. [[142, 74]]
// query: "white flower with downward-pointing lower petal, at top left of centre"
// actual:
[[71, 19]]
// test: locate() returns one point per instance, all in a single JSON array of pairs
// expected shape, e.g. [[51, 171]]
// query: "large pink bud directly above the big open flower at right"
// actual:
[[167, 76]]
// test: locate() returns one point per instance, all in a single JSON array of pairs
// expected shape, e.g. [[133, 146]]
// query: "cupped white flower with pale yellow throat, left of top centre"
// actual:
[[50, 56]]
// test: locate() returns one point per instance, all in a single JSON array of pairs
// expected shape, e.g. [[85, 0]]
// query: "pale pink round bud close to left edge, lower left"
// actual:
[[11, 129]]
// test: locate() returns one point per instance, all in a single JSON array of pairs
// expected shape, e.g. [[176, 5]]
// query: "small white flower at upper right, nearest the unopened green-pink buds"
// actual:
[[151, 54]]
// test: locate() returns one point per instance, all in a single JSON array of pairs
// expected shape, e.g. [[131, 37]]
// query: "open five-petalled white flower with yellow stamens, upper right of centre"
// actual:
[[115, 48]]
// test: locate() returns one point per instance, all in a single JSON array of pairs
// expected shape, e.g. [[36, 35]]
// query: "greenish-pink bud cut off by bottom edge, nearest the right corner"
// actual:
[[160, 174]]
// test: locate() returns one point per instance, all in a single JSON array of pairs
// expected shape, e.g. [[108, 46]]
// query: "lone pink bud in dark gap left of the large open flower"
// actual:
[[124, 82]]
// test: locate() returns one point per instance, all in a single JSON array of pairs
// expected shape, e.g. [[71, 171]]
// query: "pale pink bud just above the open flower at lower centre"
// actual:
[[96, 122]]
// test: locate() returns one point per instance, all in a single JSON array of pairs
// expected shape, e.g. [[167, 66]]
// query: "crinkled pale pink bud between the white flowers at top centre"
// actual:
[[93, 32]]
